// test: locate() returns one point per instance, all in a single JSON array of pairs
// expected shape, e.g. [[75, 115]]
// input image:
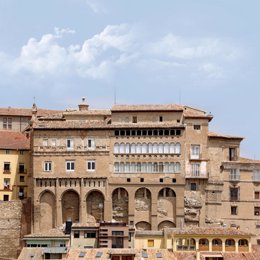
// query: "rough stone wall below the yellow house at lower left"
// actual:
[[14, 223]]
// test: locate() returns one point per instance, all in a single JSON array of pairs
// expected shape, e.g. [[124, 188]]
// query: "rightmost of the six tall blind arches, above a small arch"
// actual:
[[166, 205]]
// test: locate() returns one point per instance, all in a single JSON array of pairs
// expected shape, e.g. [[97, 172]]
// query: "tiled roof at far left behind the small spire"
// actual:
[[26, 112]]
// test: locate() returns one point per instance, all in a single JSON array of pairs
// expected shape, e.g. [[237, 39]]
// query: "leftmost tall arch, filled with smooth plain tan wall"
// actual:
[[47, 210]]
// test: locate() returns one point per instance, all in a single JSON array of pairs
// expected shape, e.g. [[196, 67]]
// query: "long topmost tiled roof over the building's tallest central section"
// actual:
[[142, 108]]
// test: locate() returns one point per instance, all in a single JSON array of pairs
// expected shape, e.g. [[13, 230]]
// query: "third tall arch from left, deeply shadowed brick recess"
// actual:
[[95, 206]]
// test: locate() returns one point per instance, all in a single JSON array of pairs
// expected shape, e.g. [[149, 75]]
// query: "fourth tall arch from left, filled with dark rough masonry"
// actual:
[[120, 205]]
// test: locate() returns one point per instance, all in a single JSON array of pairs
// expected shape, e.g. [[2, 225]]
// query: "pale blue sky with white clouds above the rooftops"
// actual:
[[203, 53]]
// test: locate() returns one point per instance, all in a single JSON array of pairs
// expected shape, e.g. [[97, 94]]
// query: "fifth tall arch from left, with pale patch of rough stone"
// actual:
[[143, 200]]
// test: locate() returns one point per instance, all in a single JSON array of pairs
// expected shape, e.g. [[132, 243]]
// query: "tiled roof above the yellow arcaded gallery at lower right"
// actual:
[[211, 231]]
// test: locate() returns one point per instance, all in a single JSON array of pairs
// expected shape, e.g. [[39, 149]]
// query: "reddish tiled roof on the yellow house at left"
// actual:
[[14, 140]]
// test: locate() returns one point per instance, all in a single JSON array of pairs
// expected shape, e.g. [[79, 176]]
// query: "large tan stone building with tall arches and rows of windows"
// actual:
[[148, 166]]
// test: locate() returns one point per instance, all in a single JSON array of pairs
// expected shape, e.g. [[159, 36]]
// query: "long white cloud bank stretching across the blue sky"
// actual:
[[120, 46]]
